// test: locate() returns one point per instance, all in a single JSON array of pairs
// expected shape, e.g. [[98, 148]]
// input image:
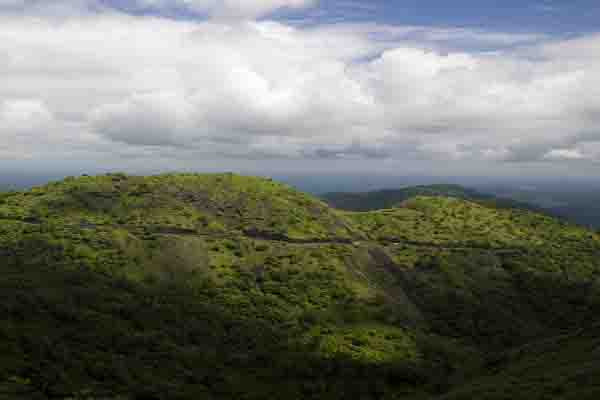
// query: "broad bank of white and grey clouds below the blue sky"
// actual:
[[117, 84]]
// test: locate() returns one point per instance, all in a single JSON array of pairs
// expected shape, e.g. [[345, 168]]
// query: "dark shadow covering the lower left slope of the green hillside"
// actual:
[[75, 333]]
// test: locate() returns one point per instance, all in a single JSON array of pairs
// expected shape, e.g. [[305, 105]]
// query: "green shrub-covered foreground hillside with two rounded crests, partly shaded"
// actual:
[[228, 287]]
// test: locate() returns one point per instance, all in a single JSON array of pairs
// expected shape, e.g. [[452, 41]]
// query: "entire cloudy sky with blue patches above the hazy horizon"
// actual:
[[403, 86]]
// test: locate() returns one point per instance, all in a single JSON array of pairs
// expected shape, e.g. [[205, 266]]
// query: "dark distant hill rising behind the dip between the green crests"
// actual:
[[382, 199]]
